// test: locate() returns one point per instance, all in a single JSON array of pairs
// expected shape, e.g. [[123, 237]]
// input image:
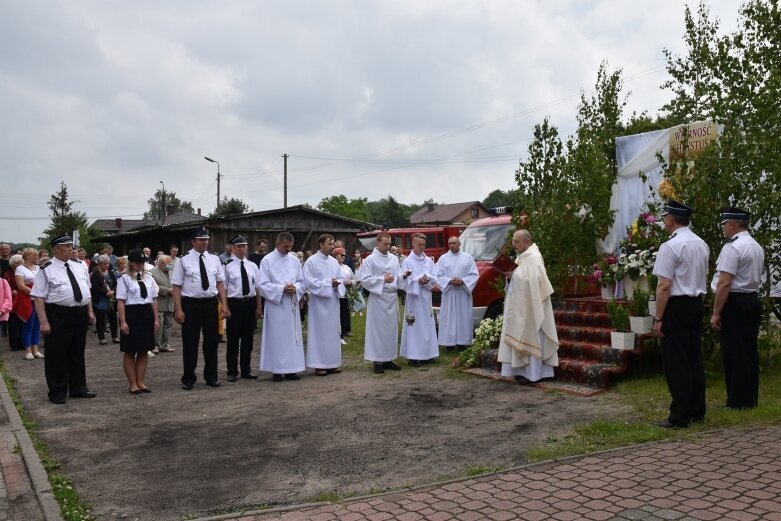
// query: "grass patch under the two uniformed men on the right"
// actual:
[[649, 400]]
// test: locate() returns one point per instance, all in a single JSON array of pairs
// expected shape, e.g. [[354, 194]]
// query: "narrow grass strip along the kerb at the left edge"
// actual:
[[72, 508]]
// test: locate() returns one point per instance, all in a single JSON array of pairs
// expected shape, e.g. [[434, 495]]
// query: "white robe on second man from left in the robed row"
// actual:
[[323, 346]]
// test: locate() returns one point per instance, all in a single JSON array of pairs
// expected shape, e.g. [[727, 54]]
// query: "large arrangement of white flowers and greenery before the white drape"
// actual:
[[640, 246]]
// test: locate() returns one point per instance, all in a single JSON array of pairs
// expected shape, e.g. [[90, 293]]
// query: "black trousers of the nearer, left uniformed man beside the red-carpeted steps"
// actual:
[[683, 362]]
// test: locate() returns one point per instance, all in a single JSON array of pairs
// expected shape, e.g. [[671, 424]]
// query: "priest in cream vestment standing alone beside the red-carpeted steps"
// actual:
[[528, 348]]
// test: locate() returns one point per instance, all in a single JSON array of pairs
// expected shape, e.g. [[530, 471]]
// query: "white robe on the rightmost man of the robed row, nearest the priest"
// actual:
[[455, 315]]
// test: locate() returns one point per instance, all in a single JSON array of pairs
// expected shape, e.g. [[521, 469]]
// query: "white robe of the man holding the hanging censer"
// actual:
[[418, 340]]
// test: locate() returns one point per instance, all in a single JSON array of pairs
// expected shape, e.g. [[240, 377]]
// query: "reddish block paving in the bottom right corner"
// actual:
[[732, 474]]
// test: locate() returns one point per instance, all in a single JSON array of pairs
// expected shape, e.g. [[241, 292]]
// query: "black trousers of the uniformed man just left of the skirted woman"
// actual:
[[64, 362]]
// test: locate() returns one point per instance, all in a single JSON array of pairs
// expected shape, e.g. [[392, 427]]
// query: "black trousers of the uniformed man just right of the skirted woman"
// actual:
[[200, 315]]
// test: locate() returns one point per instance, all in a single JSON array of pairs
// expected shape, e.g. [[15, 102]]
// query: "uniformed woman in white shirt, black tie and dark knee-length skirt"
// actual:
[[137, 307]]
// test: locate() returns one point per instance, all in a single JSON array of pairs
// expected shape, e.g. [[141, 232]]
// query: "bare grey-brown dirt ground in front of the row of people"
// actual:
[[174, 453]]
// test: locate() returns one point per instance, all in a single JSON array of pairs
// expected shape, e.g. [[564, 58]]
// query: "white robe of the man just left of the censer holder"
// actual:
[[382, 310]]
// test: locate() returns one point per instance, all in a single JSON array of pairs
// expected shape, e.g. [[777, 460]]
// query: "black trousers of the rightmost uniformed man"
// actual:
[[740, 320]]
